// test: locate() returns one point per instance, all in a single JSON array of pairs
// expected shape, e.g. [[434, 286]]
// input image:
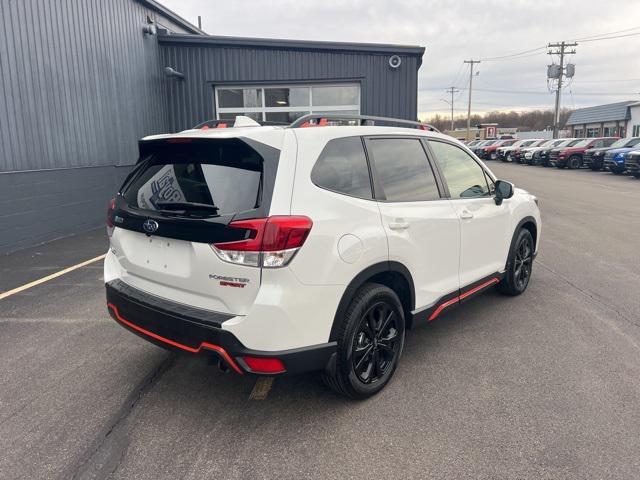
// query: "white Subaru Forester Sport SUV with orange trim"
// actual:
[[313, 247]]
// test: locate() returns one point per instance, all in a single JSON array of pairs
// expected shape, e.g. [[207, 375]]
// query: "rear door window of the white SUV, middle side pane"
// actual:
[[403, 169]]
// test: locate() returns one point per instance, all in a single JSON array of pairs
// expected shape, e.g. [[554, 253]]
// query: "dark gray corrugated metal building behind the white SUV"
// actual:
[[83, 80]]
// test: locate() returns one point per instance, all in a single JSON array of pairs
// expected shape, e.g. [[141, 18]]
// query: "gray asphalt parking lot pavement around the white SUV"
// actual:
[[546, 385]]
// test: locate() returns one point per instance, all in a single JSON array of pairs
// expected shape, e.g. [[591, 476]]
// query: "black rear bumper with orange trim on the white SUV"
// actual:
[[187, 330]]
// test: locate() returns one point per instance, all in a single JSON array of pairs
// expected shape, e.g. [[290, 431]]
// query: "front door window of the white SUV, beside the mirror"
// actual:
[[465, 178]]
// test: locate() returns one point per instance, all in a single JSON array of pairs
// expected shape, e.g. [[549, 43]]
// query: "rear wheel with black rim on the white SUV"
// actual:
[[370, 341]]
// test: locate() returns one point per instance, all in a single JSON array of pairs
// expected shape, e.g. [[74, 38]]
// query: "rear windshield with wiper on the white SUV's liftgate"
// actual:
[[203, 178]]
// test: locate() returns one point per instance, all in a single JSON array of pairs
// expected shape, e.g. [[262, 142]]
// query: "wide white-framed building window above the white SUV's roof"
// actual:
[[286, 103]]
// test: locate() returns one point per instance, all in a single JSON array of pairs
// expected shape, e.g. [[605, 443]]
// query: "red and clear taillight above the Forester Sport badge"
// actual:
[[269, 242]]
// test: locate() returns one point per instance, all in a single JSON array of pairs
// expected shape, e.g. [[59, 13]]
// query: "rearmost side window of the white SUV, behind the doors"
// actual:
[[342, 167]]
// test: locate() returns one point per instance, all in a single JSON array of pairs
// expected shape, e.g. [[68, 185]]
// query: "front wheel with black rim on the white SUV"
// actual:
[[519, 264]]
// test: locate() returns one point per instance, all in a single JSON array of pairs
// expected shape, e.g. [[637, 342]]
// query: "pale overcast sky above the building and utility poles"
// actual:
[[452, 31]]
